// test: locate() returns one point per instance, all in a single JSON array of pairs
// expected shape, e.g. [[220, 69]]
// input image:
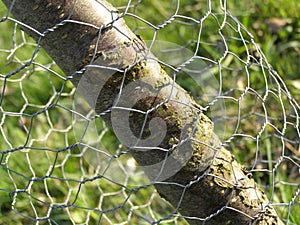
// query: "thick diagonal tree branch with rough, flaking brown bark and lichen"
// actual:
[[211, 182]]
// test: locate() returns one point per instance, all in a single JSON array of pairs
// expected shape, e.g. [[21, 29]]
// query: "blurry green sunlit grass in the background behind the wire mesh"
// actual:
[[39, 141]]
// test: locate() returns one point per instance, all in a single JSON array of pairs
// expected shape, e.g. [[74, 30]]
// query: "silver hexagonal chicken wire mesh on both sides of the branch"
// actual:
[[61, 164]]
